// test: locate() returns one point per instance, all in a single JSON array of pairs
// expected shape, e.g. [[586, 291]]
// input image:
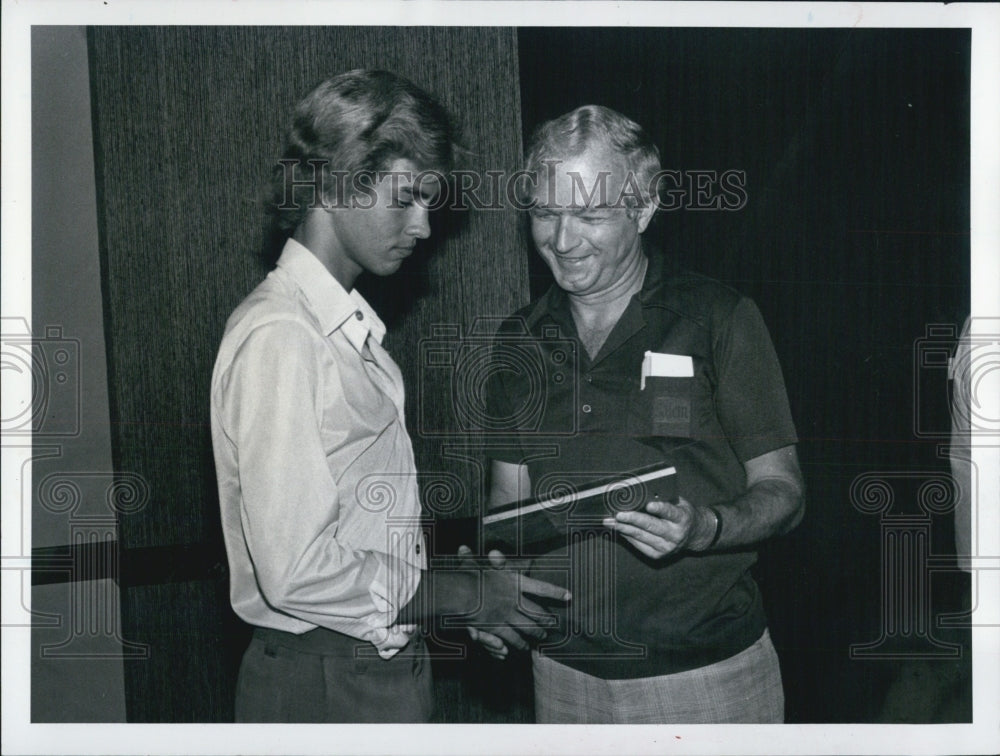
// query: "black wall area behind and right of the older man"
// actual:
[[854, 240]]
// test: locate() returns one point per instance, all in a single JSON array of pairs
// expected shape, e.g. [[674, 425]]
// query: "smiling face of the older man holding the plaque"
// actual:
[[588, 242]]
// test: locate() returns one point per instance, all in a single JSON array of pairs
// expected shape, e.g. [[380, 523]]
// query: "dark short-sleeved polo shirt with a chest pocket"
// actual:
[[580, 419]]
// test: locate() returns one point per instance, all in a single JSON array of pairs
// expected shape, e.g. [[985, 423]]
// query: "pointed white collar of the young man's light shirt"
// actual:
[[333, 306]]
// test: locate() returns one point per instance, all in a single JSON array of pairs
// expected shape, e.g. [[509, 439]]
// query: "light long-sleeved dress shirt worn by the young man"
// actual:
[[317, 483]]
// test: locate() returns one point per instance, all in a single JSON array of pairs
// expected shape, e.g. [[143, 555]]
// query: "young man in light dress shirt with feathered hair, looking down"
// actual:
[[317, 484]]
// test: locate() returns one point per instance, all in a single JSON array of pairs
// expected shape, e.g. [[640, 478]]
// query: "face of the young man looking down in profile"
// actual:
[[382, 222]]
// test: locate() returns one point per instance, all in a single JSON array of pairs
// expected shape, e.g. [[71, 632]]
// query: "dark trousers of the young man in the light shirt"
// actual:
[[325, 676]]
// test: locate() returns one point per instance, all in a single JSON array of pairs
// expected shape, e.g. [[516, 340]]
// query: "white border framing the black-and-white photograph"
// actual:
[[20, 736]]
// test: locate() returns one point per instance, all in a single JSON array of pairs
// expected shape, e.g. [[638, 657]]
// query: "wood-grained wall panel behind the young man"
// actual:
[[187, 124]]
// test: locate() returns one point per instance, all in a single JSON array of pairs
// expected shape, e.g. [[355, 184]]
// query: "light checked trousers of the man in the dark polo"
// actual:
[[743, 688]]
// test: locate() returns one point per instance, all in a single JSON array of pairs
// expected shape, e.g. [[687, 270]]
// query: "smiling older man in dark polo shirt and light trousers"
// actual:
[[666, 623]]
